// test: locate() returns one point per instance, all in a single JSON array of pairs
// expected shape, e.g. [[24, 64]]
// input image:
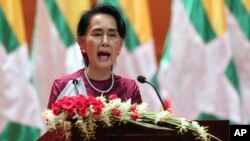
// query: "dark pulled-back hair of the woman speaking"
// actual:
[[100, 9]]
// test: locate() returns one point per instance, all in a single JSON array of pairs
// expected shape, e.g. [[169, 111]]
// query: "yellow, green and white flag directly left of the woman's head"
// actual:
[[54, 50]]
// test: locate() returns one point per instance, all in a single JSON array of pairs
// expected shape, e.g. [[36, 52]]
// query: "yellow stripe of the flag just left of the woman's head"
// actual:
[[72, 10]]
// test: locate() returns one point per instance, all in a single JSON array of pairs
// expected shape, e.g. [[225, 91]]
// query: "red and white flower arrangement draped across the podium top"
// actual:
[[89, 112]]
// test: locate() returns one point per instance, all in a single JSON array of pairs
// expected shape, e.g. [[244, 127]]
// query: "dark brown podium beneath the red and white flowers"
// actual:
[[132, 132]]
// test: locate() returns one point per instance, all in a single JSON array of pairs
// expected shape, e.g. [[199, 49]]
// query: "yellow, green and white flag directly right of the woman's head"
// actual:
[[138, 54]]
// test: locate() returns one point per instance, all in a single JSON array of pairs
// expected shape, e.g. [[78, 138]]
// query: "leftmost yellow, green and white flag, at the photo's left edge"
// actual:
[[19, 105]]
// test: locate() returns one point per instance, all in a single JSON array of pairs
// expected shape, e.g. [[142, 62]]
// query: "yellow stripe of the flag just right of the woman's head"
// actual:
[[133, 11]]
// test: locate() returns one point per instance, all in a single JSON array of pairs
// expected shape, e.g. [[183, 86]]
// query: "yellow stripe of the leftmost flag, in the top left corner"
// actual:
[[13, 12]]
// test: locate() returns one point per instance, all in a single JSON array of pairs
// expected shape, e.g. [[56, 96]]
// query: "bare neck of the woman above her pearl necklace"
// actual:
[[98, 74]]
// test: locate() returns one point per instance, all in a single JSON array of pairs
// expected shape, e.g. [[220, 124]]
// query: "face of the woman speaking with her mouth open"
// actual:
[[102, 41]]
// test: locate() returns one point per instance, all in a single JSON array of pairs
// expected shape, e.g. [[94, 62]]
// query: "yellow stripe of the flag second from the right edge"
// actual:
[[216, 15]]
